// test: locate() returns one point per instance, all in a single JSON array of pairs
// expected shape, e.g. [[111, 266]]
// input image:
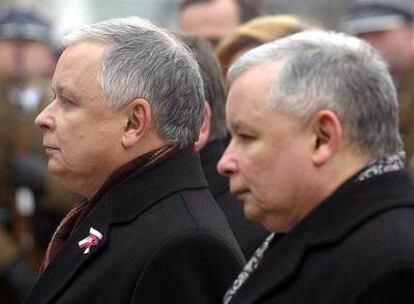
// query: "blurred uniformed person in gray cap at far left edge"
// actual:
[[31, 201]]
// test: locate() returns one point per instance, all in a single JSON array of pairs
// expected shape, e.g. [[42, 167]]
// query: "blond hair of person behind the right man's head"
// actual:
[[256, 32]]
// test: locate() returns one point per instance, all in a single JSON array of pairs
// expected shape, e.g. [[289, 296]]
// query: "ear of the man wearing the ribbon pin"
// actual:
[[138, 122]]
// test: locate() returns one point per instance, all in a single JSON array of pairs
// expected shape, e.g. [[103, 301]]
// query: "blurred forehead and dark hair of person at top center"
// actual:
[[215, 19]]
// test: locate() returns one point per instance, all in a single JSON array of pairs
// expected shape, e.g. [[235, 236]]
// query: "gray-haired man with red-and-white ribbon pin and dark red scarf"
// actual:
[[120, 131]]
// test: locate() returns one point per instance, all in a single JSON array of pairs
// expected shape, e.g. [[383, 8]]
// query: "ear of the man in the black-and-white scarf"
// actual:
[[327, 134]]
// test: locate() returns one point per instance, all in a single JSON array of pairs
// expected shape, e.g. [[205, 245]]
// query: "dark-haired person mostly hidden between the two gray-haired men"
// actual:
[[212, 143]]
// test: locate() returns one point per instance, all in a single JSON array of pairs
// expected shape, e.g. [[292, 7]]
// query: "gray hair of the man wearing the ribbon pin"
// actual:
[[145, 61]]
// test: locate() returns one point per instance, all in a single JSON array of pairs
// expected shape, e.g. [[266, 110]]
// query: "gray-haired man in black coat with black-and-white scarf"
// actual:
[[316, 154]]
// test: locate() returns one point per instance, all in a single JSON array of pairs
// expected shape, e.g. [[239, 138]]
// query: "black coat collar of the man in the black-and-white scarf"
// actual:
[[349, 207]]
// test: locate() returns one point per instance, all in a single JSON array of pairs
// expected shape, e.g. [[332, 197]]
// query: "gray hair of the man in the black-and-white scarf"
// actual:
[[325, 70]]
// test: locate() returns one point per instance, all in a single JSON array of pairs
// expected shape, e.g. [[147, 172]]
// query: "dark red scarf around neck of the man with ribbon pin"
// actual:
[[82, 209]]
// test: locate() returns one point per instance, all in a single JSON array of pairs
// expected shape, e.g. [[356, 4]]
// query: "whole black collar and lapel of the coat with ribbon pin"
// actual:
[[127, 202]]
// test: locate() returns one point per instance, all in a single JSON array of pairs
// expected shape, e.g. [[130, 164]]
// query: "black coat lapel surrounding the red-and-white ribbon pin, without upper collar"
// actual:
[[69, 261]]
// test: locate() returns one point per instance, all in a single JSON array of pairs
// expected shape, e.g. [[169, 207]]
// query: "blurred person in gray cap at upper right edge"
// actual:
[[388, 25]]
